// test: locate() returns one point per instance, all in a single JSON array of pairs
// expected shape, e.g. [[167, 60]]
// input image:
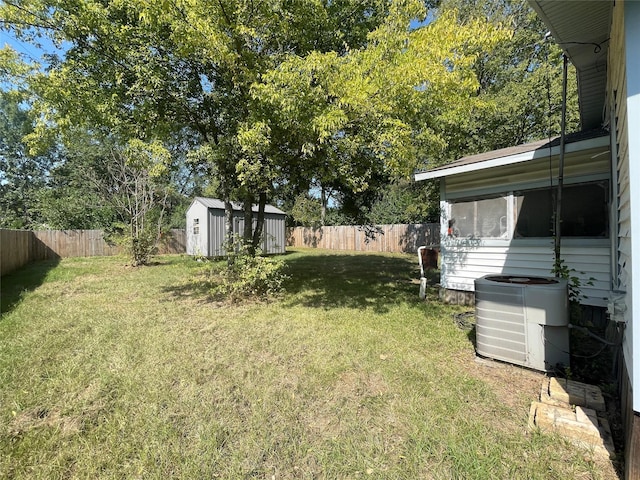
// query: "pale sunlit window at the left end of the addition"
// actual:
[[485, 218]]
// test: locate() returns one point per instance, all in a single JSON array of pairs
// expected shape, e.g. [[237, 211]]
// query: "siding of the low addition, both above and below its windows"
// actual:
[[464, 260]]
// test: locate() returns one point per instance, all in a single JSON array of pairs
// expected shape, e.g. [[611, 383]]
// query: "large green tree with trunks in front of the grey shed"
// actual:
[[140, 68]]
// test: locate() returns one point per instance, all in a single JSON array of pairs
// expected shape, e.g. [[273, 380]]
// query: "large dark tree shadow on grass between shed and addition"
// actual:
[[352, 281]]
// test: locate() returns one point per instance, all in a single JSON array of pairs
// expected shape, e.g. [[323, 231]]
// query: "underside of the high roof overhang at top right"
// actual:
[[582, 29]]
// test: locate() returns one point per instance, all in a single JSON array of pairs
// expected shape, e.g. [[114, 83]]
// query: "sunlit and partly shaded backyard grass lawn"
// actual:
[[108, 371]]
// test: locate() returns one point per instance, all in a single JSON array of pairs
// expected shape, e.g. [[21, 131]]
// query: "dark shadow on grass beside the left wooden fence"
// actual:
[[26, 279]]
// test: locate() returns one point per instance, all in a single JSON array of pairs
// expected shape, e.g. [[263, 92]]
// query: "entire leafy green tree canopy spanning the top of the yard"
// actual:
[[273, 100]]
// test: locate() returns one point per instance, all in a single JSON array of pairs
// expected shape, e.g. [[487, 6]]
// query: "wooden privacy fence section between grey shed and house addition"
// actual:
[[380, 238]]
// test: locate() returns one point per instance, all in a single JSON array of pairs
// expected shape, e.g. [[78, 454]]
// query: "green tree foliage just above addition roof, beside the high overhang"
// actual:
[[521, 78]]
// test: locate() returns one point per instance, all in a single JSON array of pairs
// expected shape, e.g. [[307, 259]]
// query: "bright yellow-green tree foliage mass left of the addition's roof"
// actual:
[[363, 118]]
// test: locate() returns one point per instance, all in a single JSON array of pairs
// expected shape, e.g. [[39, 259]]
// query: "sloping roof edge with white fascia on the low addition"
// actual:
[[576, 142]]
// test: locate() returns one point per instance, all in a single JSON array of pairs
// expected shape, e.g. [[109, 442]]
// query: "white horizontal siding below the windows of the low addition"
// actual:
[[462, 263]]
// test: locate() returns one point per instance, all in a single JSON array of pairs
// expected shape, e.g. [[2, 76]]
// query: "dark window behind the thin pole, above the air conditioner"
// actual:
[[585, 211]]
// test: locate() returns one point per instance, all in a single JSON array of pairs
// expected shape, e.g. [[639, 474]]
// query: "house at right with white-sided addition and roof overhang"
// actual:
[[602, 39]]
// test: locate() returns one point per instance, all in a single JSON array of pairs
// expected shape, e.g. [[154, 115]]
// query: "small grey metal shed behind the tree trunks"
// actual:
[[206, 227]]
